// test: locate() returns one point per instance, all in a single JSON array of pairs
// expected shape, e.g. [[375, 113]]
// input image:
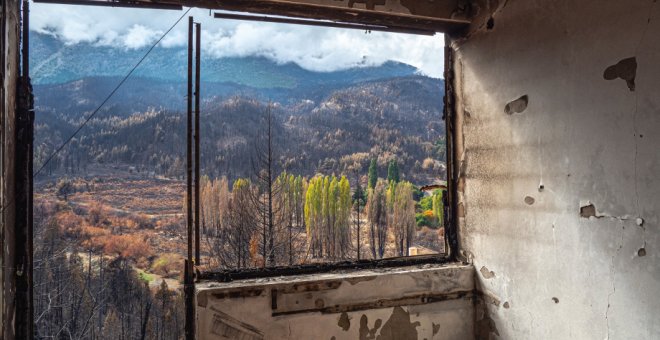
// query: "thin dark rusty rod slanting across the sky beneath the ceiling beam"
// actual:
[[321, 23]]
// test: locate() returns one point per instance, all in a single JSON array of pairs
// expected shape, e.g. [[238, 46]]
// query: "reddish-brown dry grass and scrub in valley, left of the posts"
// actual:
[[137, 218]]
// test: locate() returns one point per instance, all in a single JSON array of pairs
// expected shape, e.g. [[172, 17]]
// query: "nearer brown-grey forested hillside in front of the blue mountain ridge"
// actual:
[[392, 118]]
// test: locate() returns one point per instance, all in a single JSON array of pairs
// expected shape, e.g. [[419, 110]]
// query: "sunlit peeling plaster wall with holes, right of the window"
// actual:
[[558, 107]]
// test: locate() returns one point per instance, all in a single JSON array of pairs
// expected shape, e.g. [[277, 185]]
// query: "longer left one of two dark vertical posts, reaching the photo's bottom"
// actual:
[[189, 288]]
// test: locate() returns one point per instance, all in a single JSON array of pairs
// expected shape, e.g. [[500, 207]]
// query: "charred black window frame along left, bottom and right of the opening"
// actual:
[[24, 317]]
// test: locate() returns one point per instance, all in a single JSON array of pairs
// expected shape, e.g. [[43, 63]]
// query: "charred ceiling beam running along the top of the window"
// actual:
[[415, 16]]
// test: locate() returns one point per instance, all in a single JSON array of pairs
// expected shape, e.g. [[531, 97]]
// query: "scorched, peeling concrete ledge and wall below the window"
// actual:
[[420, 302]]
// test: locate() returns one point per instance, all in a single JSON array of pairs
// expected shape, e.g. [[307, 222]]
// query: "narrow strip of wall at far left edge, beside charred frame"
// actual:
[[9, 53]]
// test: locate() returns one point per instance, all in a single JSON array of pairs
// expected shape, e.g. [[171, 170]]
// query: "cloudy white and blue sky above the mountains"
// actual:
[[313, 48]]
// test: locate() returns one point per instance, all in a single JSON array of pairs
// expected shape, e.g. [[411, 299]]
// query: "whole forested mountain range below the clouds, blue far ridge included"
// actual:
[[324, 121]]
